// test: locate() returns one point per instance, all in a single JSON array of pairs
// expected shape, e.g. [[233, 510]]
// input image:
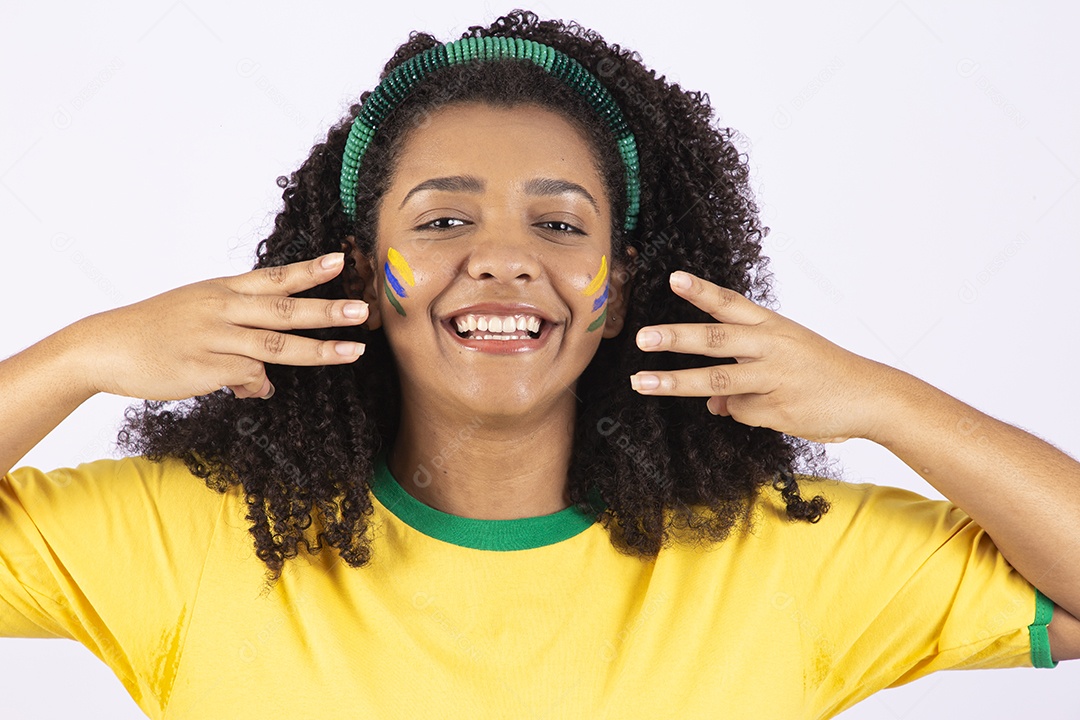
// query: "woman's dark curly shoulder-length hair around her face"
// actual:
[[659, 464]]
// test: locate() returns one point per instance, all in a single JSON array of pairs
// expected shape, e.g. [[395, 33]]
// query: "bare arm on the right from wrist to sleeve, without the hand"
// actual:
[[1021, 490]]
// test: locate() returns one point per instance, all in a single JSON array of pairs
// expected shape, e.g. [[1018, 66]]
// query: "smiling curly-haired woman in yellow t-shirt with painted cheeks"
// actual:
[[451, 461]]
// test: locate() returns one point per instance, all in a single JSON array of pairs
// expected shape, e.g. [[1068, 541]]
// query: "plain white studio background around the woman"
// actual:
[[919, 166]]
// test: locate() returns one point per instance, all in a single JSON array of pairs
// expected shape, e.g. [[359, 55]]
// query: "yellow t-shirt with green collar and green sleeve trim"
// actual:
[[538, 618]]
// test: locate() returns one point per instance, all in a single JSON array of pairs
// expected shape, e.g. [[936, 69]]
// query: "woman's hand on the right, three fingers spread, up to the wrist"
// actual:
[[786, 377]]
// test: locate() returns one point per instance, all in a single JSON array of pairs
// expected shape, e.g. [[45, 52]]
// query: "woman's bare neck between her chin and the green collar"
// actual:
[[489, 468]]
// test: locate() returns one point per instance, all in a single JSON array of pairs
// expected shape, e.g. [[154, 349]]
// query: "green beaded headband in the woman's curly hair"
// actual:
[[406, 77]]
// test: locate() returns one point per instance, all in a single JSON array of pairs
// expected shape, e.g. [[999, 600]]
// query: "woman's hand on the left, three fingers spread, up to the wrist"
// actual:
[[198, 338]]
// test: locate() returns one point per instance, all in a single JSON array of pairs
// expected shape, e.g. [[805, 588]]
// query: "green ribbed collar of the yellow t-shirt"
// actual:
[[518, 535]]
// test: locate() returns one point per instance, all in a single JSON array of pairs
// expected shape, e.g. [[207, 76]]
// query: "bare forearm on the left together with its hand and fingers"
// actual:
[[185, 343]]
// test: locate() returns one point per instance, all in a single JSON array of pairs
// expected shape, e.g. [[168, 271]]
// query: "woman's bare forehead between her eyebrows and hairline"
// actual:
[[523, 141]]
